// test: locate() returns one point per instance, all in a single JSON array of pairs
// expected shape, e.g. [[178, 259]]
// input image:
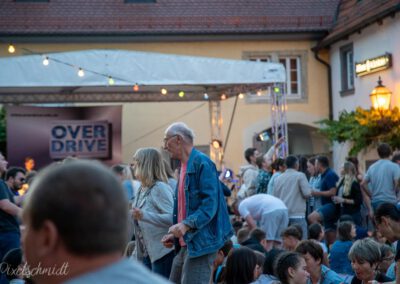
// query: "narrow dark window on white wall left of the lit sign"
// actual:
[[347, 69]]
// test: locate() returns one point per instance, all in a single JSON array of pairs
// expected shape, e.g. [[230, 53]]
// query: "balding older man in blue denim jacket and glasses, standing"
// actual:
[[200, 214]]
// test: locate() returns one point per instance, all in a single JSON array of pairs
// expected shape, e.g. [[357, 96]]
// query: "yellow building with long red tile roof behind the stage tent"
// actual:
[[282, 32]]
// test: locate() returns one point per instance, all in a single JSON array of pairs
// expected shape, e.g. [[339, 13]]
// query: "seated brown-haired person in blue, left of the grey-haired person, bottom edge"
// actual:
[[319, 273]]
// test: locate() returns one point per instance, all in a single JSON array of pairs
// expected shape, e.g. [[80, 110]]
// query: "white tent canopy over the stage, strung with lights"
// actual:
[[26, 78]]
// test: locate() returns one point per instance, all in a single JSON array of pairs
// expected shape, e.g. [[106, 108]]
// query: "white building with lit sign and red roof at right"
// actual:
[[364, 46]]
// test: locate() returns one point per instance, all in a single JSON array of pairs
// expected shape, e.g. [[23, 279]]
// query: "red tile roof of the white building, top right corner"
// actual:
[[354, 15]]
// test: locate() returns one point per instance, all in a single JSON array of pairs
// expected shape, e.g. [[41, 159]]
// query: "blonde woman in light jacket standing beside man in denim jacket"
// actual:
[[152, 211]]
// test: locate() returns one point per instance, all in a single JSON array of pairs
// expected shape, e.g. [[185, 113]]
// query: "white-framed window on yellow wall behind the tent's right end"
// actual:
[[295, 66]]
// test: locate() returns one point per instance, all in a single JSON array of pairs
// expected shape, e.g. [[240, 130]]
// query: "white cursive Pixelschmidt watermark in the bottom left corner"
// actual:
[[28, 271]]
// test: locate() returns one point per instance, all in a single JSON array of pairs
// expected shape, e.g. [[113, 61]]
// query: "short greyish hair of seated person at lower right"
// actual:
[[366, 250]]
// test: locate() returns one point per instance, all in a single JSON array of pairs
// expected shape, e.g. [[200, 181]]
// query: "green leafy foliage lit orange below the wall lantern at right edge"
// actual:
[[364, 128]]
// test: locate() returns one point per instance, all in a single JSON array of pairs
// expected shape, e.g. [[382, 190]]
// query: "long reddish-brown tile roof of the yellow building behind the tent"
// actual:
[[105, 17]]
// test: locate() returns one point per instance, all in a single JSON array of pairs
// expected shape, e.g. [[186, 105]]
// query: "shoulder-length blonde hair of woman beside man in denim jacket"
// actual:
[[149, 166]]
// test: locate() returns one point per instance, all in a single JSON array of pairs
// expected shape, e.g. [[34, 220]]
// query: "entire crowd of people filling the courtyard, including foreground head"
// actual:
[[289, 221]]
